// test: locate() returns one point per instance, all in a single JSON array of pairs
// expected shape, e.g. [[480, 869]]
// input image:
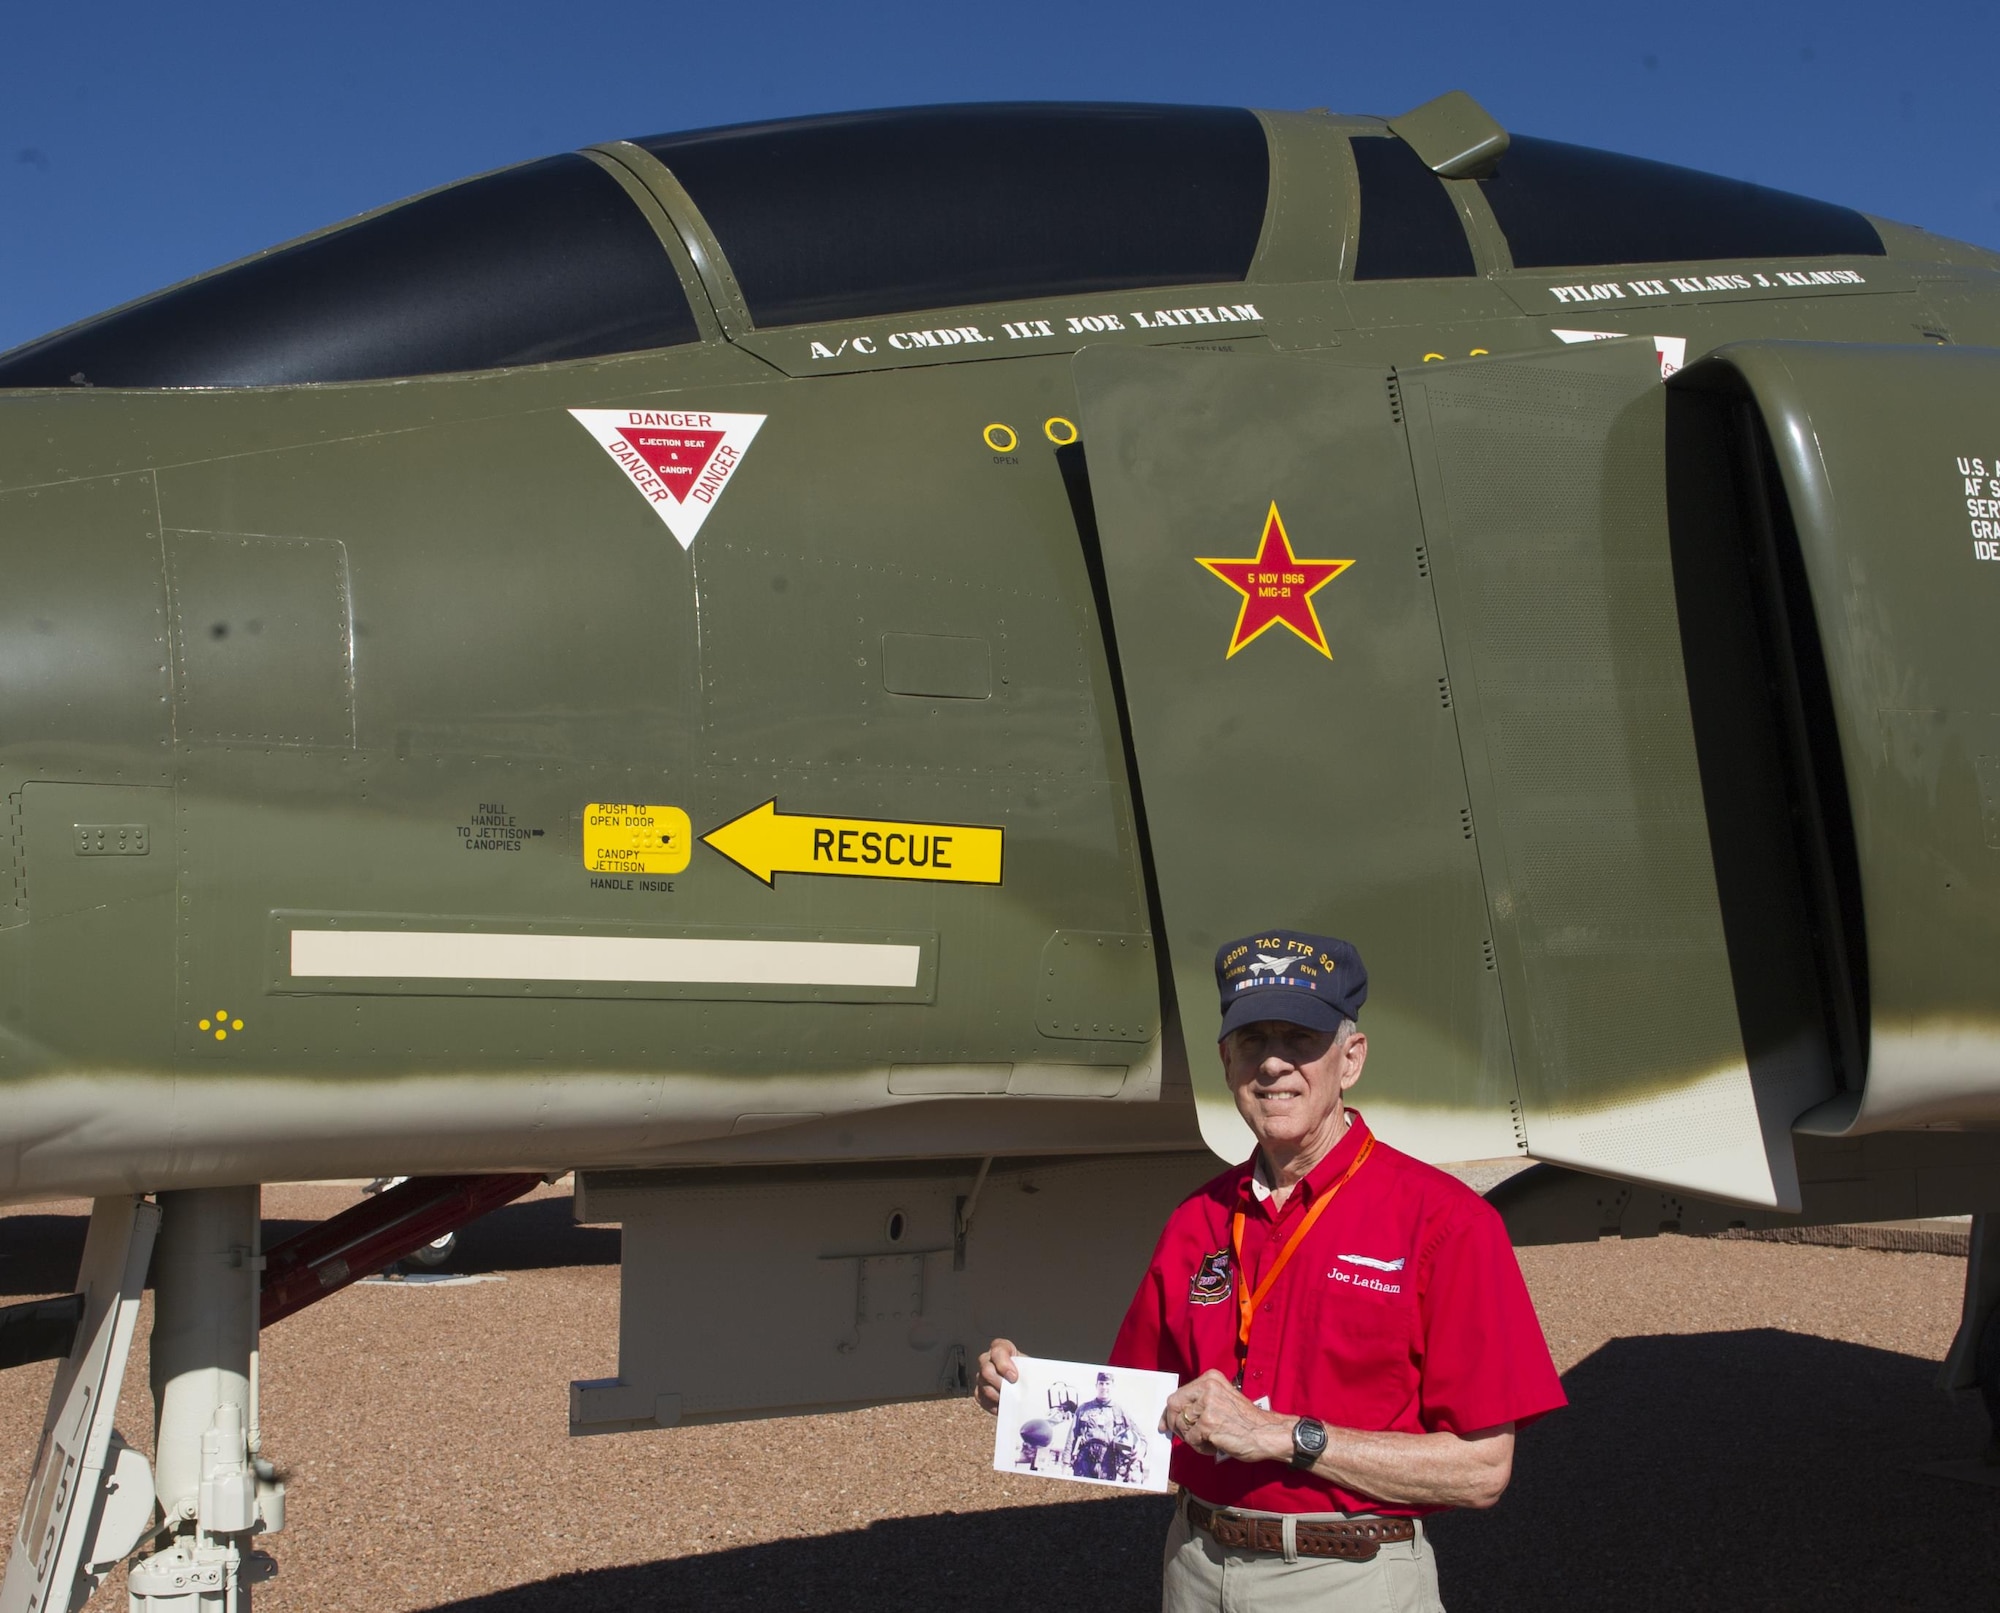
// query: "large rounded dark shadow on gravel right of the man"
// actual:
[[1735, 1470]]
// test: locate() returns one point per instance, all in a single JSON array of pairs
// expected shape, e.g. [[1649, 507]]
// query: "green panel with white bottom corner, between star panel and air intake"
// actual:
[[1545, 507]]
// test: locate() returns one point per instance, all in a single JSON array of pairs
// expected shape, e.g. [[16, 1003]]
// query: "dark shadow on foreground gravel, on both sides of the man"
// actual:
[[1709, 1472]]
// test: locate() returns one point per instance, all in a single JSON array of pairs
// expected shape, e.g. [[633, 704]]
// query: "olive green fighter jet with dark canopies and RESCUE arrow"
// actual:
[[761, 665]]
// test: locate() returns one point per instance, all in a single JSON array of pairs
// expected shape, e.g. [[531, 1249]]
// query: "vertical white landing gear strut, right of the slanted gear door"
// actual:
[[215, 1492]]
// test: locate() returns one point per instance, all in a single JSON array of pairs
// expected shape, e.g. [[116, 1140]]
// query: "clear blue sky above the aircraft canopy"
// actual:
[[141, 145]]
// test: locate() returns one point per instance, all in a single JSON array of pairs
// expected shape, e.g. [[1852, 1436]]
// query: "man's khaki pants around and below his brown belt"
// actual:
[[1207, 1578]]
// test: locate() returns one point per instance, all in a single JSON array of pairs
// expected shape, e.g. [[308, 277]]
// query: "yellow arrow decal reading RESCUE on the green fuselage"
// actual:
[[769, 844]]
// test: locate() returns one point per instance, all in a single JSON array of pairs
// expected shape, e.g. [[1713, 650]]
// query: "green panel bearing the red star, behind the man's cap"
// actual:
[[1285, 785]]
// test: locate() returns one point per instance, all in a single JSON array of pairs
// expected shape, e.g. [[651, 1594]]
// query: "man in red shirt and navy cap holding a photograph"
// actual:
[[1351, 1332]]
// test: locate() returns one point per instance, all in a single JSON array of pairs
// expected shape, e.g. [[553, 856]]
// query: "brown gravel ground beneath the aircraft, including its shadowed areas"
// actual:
[[1745, 1428]]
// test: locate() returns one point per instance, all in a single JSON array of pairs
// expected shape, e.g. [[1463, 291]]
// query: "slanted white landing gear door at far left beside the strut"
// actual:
[[91, 1494]]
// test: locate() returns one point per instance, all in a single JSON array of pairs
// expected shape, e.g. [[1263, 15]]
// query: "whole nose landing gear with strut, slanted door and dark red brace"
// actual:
[[91, 1496]]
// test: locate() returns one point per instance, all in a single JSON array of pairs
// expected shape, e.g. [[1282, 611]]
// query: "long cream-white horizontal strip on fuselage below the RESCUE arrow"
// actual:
[[447, 956]]
